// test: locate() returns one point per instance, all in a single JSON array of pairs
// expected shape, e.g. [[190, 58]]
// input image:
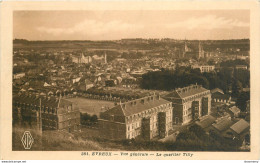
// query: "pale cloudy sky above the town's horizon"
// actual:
[[116, 24]]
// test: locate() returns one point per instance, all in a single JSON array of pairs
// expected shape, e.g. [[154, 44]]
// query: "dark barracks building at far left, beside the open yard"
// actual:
[[46, 112]]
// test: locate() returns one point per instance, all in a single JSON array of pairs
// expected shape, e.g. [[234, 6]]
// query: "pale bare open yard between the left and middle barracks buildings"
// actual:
[[91, 106]]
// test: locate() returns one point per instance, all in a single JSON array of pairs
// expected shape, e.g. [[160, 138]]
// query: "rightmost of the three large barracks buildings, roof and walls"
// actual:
[[189, 103]]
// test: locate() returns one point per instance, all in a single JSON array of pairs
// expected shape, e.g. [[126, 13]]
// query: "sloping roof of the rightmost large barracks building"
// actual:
[[186, 91]]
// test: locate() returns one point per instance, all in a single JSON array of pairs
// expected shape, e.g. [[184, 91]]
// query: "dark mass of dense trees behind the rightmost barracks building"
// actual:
[[228, 79]]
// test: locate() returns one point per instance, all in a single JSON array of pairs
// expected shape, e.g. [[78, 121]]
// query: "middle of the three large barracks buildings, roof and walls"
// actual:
[[147, 117]]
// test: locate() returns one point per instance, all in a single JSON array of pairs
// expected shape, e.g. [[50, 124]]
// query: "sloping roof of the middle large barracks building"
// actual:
[[136, 106]]
